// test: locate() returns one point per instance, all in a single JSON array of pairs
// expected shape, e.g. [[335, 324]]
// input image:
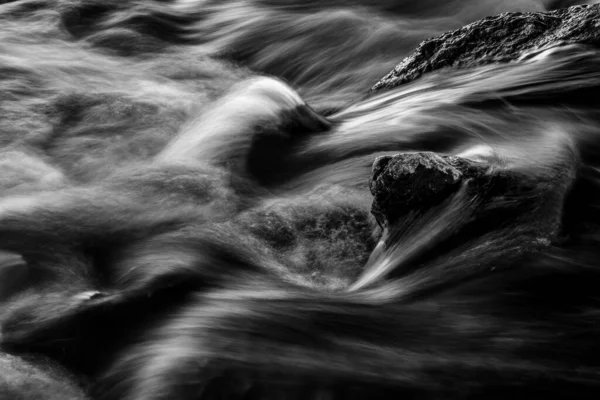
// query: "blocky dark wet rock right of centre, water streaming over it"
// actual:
[[523, 206]]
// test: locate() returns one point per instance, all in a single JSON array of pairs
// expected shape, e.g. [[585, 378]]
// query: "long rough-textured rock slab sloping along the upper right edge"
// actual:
[[500, 38]]
